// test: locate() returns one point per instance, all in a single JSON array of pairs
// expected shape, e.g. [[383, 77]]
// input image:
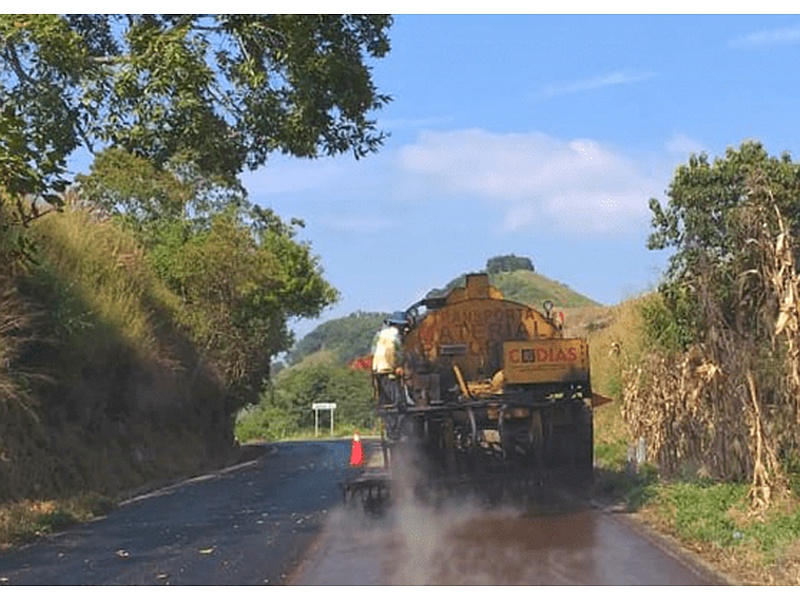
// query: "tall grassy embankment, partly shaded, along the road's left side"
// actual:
[[102, 388]]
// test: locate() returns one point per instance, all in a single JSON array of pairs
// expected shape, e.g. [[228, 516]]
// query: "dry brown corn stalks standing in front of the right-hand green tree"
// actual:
[[726, 407]]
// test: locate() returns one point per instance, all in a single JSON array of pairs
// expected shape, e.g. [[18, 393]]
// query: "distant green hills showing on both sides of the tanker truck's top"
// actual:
[[347, 338]]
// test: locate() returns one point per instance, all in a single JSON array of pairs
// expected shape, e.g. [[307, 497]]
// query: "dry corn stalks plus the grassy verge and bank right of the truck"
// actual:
[[719, 421]]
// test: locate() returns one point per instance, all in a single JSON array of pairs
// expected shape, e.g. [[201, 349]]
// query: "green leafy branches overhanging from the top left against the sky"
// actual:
[[219, 92]]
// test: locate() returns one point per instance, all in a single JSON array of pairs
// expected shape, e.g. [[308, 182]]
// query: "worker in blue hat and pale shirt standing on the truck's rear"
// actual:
[[387, 361]]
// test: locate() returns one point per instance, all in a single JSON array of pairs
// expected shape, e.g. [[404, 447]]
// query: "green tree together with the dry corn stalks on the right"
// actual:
[[720, 391]]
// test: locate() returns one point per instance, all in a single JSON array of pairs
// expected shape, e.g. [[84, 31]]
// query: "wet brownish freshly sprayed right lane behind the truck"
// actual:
[[479, 546]]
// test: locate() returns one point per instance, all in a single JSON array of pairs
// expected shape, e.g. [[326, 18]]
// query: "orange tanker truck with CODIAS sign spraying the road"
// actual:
[[487, 392]]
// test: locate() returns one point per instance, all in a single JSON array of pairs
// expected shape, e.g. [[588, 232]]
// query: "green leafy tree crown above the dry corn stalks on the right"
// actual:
[[703, 223]]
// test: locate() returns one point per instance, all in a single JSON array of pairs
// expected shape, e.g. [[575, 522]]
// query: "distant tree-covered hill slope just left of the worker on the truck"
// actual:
[[348, 337]]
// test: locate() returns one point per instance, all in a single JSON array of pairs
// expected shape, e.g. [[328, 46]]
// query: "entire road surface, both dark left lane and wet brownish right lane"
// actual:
[[279, 520]]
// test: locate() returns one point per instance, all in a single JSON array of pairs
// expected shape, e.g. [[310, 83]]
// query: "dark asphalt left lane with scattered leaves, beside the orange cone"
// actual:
[[249, 525]]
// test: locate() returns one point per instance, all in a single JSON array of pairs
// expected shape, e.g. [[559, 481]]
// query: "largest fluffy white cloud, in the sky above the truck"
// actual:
[[535, 179]]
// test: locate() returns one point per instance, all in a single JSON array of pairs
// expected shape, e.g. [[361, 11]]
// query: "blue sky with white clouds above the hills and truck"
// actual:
[[538, 135]]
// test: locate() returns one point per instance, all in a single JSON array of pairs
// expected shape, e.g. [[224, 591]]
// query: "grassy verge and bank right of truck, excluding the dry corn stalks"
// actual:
[[709, 519]]
